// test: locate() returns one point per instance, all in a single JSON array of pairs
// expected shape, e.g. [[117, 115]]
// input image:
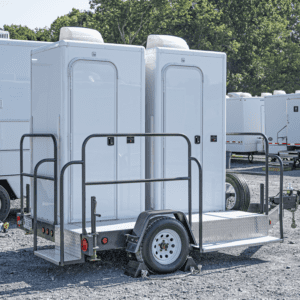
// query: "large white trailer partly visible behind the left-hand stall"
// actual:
[[14, 114]]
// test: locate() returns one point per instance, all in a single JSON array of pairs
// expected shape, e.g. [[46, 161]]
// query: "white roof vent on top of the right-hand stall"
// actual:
[[167, 41]]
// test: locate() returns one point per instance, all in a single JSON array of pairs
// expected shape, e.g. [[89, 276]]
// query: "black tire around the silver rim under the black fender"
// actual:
[[146, 248]]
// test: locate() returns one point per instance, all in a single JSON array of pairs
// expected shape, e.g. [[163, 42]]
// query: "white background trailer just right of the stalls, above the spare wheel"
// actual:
[[244, 113]]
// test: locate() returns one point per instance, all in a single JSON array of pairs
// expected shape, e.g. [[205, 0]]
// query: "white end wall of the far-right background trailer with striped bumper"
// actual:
[[276, 121]]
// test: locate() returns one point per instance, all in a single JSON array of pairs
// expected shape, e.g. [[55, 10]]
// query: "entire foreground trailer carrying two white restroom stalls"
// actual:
[[157, 234]]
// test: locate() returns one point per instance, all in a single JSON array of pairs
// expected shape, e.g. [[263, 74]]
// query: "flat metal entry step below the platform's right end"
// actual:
[[239, 243]]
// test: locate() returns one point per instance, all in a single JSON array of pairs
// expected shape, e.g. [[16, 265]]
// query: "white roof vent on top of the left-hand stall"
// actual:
[[80, 34]]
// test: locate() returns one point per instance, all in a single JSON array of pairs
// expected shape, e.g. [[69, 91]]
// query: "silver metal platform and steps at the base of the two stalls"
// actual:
[[221, 230]]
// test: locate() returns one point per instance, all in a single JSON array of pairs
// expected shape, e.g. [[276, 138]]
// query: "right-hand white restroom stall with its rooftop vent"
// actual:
[[185, 93]]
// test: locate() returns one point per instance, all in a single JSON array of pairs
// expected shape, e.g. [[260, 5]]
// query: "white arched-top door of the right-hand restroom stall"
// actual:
[[182, 114]]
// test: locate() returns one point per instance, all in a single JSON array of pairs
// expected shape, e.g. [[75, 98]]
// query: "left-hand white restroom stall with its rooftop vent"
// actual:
[[82, 86]]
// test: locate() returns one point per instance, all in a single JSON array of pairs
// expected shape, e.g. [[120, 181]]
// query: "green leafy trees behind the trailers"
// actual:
[[260, 37]]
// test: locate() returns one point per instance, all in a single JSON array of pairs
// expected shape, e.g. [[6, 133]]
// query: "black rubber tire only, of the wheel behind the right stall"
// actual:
[[242, 192]]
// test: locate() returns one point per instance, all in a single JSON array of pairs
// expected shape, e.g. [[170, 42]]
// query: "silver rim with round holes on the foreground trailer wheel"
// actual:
[[166, 246]]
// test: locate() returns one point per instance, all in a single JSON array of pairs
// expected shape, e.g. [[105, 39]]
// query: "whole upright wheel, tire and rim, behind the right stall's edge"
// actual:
[[237, 193]]
